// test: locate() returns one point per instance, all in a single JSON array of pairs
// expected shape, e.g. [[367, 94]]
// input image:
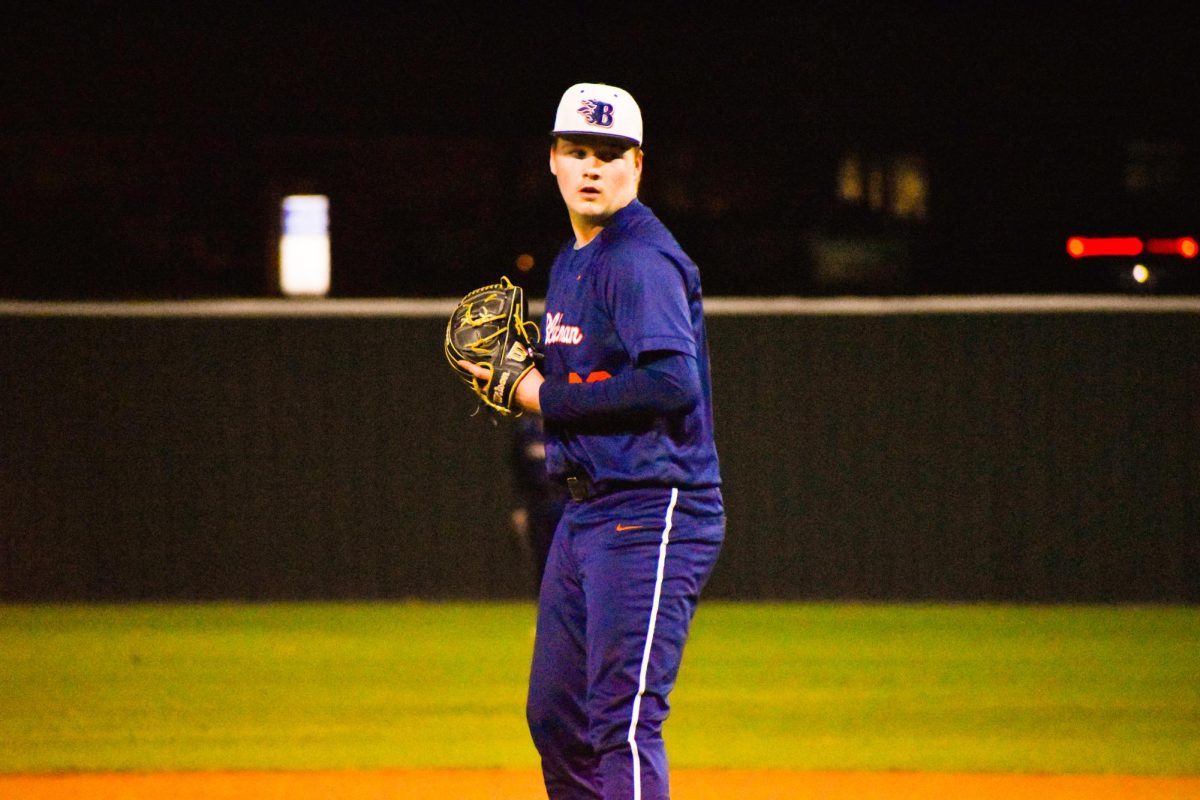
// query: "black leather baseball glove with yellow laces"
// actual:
[[489, 329]]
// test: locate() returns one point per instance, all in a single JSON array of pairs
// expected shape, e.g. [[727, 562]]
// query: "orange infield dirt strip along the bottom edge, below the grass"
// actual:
[[525, 785]]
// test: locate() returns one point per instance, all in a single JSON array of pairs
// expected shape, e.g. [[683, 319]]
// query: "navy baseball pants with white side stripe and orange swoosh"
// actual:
[[621, 587]]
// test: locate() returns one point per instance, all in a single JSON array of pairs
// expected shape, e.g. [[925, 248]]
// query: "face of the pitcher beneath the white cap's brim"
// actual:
[[597, 177]]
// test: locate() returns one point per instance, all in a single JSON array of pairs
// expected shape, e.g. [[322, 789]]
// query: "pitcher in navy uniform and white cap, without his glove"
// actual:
[[627, 402]]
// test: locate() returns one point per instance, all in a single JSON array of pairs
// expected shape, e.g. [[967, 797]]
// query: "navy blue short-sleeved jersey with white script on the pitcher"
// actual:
[[632, 291]]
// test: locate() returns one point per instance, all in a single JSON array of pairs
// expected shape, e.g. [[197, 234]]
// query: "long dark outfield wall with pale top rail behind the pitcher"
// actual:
[[1041, 449]]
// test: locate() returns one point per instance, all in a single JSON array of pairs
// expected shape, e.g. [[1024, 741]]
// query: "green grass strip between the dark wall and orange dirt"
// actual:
[[1009, 689]]
